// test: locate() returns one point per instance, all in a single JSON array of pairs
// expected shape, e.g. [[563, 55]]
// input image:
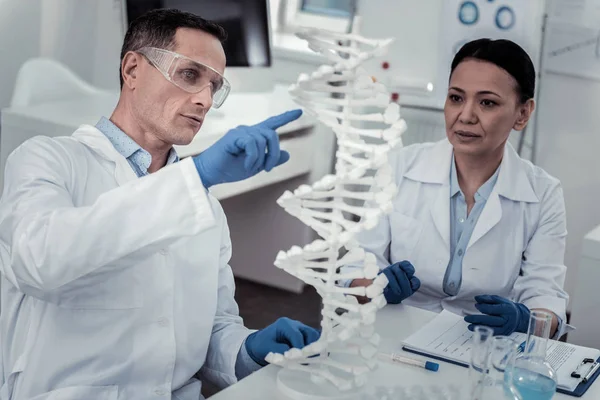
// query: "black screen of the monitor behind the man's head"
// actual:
[[246, 23]]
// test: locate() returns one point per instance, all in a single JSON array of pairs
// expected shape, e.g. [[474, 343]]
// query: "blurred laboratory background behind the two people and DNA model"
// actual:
[[60, 69]]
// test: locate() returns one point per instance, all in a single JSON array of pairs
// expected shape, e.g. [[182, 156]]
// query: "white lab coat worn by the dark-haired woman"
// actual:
[[516, 249]]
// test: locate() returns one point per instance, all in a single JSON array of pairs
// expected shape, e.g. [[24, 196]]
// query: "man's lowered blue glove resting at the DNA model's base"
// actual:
[[279, 337]]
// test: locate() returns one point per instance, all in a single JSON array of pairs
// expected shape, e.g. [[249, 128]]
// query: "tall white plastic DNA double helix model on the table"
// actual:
[[343, 97]]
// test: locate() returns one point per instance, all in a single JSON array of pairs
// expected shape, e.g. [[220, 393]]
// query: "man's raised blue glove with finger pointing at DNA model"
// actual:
[[241, 153]]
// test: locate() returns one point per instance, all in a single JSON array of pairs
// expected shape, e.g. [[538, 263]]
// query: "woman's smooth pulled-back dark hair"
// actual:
[[505, 54]]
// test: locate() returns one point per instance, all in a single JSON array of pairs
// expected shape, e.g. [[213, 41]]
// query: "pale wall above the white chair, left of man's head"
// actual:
[[85, 35]]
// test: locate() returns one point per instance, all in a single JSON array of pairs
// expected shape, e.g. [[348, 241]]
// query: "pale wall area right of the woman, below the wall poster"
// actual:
[[568, 148]]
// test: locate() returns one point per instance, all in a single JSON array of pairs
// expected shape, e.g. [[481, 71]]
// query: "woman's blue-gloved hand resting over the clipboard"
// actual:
[[500, 314]]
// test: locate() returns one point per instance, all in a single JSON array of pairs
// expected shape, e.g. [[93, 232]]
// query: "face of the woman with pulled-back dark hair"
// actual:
[[482, 107]]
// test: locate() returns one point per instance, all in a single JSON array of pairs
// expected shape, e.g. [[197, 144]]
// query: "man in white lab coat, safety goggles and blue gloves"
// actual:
[[114, 257]]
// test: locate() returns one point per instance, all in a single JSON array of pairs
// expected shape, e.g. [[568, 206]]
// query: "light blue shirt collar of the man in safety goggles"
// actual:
[[139, 158]]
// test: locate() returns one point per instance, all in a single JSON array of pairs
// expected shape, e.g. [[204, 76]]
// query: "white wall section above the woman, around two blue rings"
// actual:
[[425, 31]]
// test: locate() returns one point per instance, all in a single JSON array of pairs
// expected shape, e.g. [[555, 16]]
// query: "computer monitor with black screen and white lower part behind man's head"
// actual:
[[248, 47]]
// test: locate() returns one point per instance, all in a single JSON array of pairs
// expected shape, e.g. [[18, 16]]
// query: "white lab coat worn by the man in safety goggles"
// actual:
[[113, 286]]
